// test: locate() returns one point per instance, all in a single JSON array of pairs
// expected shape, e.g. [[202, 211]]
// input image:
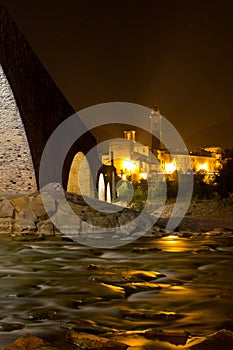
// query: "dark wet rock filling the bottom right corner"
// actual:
[[220, 340]]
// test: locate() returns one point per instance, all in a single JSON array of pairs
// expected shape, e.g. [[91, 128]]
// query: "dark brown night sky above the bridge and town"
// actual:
[[178, 54]]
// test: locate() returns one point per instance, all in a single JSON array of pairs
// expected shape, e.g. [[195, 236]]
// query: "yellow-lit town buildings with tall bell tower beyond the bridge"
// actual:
[[135, 161]]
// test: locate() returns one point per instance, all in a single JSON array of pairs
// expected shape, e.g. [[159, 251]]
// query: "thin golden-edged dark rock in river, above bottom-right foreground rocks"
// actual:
[[157, 316]]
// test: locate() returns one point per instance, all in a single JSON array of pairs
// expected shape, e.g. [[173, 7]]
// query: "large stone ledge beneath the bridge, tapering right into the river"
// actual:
[[76, 216]]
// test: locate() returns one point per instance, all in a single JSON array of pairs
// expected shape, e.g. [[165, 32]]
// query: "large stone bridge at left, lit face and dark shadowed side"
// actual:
[[31, 108]]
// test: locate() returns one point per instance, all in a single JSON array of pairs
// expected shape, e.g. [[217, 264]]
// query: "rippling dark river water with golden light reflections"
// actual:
[[47, 285]]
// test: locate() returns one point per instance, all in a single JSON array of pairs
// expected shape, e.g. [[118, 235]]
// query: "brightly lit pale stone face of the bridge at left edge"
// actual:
[[16, 167]]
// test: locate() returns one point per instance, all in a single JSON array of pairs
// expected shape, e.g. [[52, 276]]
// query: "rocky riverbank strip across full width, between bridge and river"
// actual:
[[95, 220]]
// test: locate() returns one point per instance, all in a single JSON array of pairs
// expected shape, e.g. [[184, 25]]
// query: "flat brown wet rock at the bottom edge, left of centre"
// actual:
[[86, 341]]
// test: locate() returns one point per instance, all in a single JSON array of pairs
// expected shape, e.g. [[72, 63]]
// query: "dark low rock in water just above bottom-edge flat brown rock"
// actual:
[[87, 327]]
